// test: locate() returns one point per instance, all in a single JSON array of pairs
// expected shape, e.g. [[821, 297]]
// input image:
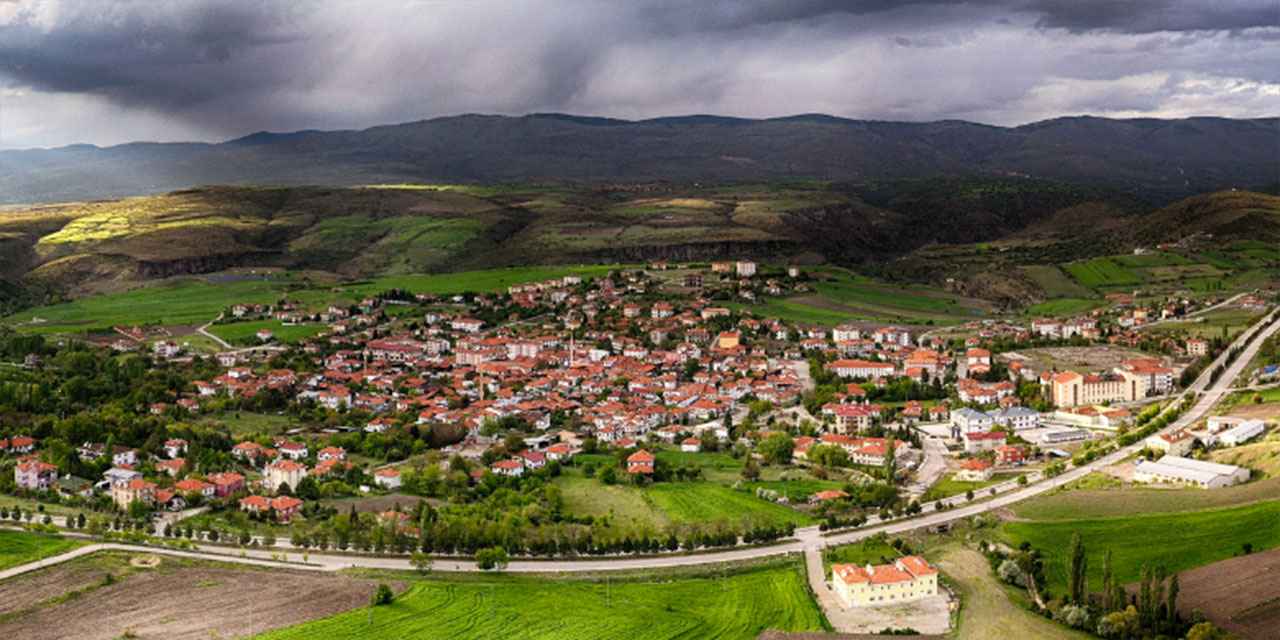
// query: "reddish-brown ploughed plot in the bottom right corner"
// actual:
[[1241, 595]]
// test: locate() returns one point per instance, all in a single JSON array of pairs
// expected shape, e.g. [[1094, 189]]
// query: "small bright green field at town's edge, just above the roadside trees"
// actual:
[[707, 502]]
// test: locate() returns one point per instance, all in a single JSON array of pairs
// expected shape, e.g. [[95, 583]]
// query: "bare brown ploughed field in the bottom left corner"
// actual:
[[177, 601]]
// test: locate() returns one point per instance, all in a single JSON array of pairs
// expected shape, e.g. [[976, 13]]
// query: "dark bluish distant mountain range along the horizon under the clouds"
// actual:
[[1159, 161]]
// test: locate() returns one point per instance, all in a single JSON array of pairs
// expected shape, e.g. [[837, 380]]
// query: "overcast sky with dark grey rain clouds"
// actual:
[[106, 72]]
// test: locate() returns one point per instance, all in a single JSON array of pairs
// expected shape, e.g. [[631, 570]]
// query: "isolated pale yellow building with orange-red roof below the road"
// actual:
[[906, 580]]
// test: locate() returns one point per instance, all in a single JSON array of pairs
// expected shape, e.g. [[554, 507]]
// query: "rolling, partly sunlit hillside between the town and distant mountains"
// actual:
[[95, 246]]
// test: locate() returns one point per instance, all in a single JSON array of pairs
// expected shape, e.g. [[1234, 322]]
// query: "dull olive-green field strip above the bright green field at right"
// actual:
[[1103, 504]]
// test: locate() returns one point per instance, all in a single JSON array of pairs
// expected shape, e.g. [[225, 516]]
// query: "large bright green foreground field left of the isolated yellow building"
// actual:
[[737, 607]]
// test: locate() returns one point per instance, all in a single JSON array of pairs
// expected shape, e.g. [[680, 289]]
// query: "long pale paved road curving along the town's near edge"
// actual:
[[808, 540]]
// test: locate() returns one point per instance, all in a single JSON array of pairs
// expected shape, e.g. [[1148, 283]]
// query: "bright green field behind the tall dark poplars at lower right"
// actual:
[[1204, 537]]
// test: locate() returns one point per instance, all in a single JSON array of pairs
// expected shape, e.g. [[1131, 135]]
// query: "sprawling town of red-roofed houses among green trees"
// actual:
[[429, 417]]
